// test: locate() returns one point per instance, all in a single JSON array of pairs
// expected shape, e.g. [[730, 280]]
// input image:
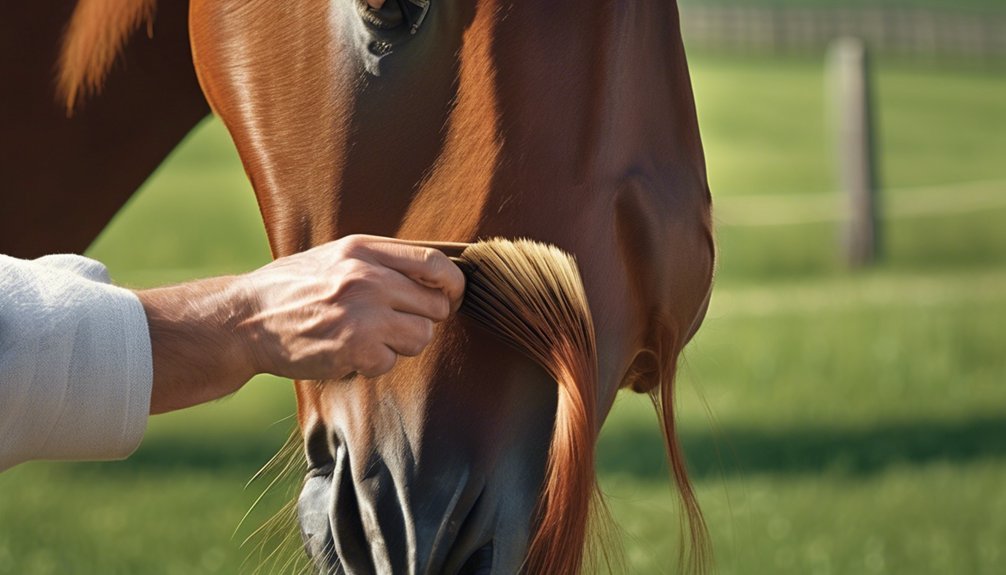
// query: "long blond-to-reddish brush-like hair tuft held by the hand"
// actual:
[[531, 295]]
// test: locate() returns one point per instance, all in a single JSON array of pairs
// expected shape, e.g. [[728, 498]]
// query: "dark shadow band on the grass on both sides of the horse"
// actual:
[[638, 451]]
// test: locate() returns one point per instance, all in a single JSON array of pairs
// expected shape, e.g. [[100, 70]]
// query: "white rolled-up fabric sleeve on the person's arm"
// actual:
[[76, 367]]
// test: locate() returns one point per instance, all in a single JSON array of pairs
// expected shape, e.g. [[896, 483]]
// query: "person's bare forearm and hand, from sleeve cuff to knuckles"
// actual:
[[355, 305]]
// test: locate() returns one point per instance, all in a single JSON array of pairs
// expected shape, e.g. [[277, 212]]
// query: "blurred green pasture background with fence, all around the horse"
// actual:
[[840, 420]]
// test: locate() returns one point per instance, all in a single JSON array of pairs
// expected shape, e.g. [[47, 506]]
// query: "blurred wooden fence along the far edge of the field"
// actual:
[[914, 33]]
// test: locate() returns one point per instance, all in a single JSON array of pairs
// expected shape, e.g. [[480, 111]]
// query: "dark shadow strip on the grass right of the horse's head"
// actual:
[[735, 452]]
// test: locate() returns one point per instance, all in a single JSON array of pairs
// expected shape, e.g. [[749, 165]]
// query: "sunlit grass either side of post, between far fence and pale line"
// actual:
[[765, 131]]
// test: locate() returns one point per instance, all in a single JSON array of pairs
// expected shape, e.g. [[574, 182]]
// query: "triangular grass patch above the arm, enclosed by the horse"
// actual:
[[198, 217]]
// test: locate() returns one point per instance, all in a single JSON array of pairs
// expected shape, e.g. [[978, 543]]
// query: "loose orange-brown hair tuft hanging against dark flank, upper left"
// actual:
[[97, 33]]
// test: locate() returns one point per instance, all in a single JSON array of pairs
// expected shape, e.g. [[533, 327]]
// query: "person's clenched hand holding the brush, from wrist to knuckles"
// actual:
[[355, 305]]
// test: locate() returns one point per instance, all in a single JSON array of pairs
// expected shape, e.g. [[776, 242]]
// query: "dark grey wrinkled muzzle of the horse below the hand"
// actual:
[[379, 524]]
